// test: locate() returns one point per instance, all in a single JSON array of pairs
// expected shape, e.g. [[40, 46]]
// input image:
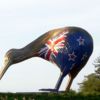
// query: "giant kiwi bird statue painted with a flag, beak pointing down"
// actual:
[[68, 47]]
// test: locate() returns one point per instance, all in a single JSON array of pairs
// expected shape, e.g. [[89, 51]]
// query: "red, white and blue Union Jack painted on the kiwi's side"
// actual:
[[53, 46]]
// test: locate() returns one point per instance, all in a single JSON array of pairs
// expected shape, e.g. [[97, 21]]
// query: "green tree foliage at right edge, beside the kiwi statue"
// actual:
[[91, 83]]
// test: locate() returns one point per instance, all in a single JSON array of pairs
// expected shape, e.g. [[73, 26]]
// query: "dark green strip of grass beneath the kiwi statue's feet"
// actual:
[[49, 96]]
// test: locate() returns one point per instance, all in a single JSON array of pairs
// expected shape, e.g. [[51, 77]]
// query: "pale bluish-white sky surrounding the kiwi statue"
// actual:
[[23, 21]]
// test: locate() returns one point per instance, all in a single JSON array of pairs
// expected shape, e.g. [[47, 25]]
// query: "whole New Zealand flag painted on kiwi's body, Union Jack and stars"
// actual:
[[67, 50]]
